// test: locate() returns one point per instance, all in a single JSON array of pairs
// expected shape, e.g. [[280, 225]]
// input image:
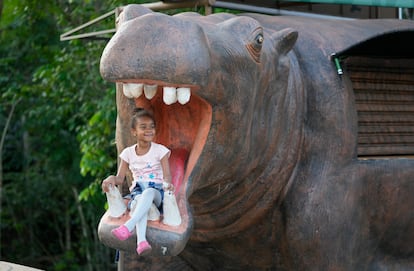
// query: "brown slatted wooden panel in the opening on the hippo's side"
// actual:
[[384, 97]]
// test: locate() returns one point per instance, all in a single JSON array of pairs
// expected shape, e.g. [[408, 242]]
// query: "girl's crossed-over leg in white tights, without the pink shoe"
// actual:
[[148, 196]]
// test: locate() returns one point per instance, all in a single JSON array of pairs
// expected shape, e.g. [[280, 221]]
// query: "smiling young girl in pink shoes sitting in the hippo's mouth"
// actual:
[[148, 162]]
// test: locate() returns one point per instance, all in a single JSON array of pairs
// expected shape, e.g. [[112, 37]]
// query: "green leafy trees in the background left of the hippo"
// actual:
[[60, 143]]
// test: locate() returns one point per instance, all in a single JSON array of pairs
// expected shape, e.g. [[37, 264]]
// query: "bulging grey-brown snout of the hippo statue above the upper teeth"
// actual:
[[136, 53]]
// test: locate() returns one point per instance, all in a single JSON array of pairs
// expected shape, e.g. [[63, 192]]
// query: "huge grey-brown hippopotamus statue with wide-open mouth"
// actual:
[[263, 129]]
